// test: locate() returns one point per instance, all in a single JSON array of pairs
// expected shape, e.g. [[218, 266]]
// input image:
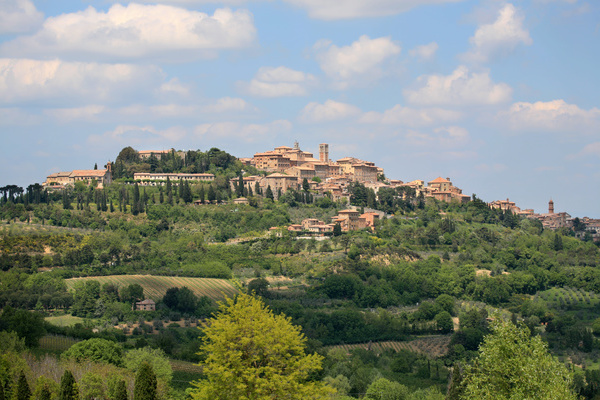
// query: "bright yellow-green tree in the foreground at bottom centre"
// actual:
[[252, 353]]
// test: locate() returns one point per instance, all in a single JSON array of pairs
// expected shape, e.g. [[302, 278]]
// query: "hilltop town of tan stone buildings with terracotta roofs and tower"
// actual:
[[287, 168]]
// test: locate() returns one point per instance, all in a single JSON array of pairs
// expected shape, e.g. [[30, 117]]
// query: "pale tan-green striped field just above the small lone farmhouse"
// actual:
[[155, 287]]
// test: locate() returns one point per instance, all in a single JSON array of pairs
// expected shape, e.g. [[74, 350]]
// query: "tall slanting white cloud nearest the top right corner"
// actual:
[[498, 38]]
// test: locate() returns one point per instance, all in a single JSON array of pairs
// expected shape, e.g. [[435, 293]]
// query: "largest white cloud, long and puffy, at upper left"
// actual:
[[135, 31]]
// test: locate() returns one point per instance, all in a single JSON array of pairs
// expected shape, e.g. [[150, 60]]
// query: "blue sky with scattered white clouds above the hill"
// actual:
[[499, 96]]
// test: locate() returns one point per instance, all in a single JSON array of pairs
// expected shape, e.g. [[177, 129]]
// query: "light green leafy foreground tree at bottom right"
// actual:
[[513, 365]]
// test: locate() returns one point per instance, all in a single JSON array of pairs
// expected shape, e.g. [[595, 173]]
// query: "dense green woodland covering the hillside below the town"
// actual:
[[429, 270]]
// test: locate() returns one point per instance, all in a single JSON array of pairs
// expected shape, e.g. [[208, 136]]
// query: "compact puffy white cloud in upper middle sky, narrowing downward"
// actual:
[[362, 59]]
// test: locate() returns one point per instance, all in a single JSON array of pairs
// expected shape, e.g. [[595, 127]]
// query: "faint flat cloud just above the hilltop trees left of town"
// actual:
[[138, 135]]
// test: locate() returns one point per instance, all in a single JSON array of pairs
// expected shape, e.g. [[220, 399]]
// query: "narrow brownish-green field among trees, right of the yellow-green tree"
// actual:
[[432, 346]]
